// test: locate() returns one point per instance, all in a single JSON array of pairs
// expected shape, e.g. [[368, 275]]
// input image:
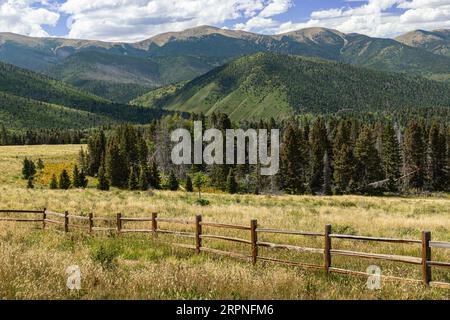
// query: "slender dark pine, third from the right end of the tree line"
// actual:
[[391, 157]]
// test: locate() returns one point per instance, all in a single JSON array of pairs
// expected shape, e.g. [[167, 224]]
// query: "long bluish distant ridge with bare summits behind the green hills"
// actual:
[[102, 67]]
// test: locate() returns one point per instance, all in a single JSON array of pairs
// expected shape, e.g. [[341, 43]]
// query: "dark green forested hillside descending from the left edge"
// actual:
[[38, 90]]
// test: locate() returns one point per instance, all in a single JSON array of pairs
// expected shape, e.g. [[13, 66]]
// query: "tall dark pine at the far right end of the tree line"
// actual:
[[437, 157]]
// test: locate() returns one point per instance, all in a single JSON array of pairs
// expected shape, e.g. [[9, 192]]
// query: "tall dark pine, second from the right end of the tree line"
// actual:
[[415, 155]]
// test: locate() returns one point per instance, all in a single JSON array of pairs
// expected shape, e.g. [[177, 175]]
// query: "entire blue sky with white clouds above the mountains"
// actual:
[[135, 20]]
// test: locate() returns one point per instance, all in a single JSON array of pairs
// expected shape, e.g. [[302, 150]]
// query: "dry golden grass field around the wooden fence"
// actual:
[[34, 262]]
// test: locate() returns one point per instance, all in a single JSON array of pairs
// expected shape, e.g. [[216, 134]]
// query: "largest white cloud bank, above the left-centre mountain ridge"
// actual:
[[133, 20]]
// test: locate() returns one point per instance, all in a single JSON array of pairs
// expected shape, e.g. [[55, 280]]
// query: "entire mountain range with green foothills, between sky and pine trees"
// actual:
[[316, 70]]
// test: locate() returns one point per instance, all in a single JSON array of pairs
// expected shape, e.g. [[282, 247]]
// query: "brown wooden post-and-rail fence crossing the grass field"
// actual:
[[88, 223]]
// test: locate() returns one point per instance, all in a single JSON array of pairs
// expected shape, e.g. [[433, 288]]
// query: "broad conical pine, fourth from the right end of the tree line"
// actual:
[[367, 159]]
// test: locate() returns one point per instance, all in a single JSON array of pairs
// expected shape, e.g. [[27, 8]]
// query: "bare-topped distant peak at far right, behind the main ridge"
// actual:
[[437, 41]]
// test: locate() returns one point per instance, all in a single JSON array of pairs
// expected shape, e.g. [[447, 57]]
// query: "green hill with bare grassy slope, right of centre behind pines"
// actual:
[[269, 85]]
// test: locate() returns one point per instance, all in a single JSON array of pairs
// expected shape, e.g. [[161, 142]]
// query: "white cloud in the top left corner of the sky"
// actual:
[[22, 16]]
